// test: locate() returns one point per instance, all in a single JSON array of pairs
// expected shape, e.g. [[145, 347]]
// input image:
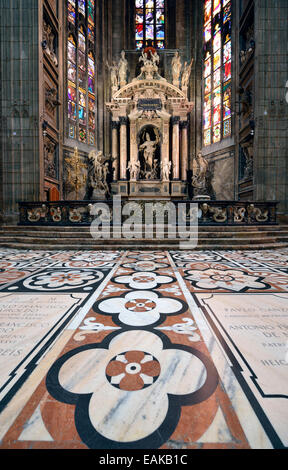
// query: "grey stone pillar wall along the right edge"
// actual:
[[271, 108]]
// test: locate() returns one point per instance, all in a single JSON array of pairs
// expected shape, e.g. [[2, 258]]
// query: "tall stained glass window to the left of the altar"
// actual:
[[81, 70]]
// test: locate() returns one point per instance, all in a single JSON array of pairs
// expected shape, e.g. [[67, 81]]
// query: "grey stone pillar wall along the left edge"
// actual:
[[20, 175]]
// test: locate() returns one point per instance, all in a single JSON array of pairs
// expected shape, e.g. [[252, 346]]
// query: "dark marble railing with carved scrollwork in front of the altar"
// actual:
[[82, 213]]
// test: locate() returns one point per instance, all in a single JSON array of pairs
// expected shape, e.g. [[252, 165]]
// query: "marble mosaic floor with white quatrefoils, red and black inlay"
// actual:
[[143, 350]]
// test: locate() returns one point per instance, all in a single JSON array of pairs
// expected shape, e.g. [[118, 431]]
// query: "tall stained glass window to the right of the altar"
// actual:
[[217, 70]]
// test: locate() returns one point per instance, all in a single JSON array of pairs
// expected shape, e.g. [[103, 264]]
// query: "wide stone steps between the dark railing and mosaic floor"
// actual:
[[79, 238]]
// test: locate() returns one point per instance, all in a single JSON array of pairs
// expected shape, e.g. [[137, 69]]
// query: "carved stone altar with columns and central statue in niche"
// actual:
[[149, 133]]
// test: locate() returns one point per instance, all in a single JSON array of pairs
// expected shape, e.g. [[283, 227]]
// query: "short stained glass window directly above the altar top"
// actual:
[[150, 23]]
